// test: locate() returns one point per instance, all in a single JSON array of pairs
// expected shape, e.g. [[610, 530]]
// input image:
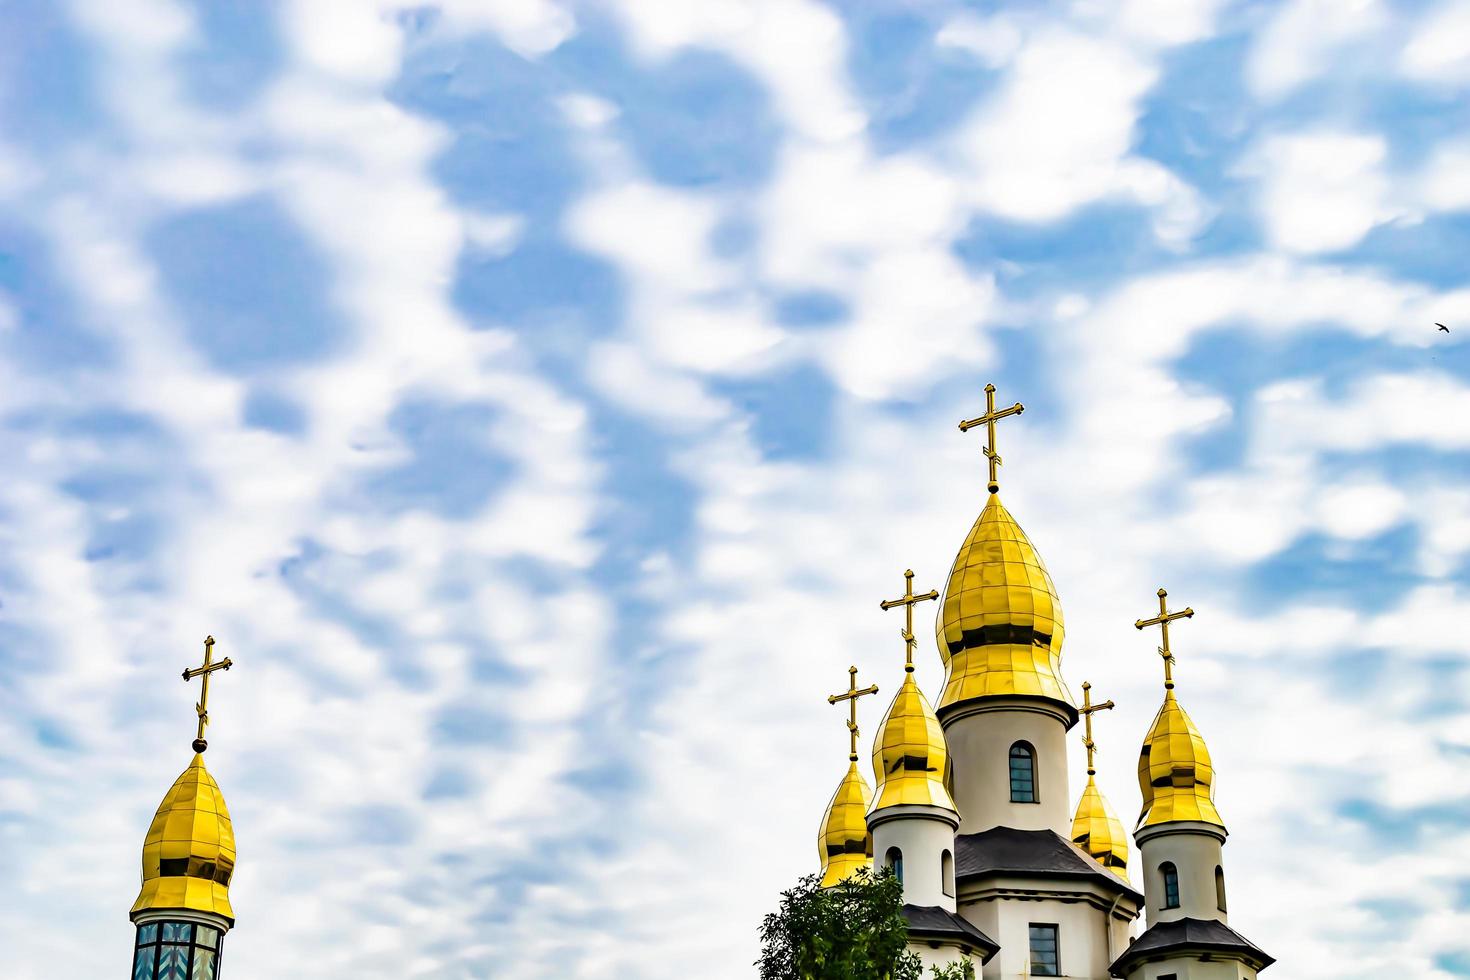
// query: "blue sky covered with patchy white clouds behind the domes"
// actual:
[[537, 399]]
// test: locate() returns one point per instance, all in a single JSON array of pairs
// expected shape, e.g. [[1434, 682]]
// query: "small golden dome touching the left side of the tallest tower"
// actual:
[[911, 754]]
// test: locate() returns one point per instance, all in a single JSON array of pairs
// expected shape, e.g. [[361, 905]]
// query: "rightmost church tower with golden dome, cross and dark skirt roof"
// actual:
[[1181, 840]]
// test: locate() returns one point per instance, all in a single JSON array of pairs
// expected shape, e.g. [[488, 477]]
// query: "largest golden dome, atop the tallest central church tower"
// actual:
[[1000, 625]]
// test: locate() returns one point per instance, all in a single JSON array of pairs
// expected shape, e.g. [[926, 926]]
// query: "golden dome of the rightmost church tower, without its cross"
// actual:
[[1175, 772]]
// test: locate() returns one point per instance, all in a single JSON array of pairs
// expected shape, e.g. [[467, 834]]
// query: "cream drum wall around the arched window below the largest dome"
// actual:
[[981, 737]]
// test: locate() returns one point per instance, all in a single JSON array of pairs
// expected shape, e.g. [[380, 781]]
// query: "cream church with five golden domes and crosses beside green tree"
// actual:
[[971, 807]]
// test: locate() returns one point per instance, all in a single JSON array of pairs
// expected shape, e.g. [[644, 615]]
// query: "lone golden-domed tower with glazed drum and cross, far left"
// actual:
[[183, 912]]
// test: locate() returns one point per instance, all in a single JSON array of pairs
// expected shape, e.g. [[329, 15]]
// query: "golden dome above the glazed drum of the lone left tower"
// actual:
[[190, 851]]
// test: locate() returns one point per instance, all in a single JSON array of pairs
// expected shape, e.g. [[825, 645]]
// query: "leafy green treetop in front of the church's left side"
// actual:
[[853, 931]]
